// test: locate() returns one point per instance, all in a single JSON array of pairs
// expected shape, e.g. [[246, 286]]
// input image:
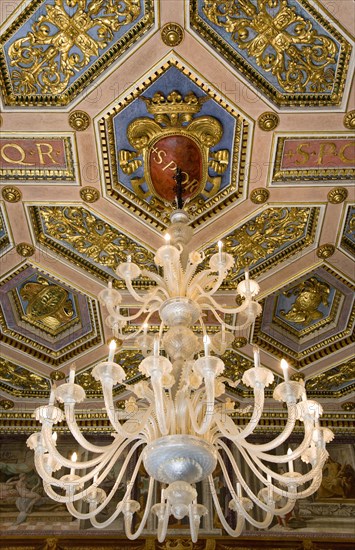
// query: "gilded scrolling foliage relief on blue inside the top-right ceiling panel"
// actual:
[[280, 41]]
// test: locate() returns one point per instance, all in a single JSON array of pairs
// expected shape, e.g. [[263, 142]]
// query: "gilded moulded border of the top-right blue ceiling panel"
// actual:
[[221, 47]]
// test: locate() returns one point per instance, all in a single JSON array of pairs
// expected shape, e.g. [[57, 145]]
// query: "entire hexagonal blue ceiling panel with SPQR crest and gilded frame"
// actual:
[[174, 120]]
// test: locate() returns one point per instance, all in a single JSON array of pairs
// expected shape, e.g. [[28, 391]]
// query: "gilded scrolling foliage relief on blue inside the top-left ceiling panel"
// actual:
[[64, 40]]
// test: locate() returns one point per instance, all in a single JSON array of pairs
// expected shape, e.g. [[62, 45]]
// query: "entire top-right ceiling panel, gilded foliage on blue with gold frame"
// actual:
[[289, 50]]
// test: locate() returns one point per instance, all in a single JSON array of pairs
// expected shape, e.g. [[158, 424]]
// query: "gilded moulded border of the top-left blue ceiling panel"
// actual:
[[92, 73]]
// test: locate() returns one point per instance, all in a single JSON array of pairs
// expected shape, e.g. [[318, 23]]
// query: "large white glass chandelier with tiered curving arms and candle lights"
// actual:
[[174, 425]]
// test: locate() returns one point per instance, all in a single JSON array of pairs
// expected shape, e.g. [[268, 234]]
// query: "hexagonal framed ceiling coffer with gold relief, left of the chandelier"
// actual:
[[45, 318]]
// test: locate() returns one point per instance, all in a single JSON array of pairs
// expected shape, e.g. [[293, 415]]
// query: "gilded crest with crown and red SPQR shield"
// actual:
[[175, 137]]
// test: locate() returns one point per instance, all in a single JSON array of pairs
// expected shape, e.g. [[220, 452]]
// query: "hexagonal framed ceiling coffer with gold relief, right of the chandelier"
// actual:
[[307, 318]]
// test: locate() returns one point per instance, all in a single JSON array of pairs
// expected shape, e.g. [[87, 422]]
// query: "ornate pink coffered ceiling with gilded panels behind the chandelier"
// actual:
[[101, 101]]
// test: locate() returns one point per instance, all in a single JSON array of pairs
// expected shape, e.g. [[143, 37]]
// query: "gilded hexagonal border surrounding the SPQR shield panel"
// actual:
[[204, 210]]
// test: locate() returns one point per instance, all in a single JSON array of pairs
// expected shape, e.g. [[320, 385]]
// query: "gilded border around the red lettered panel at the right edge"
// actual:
[[311, 175]]
